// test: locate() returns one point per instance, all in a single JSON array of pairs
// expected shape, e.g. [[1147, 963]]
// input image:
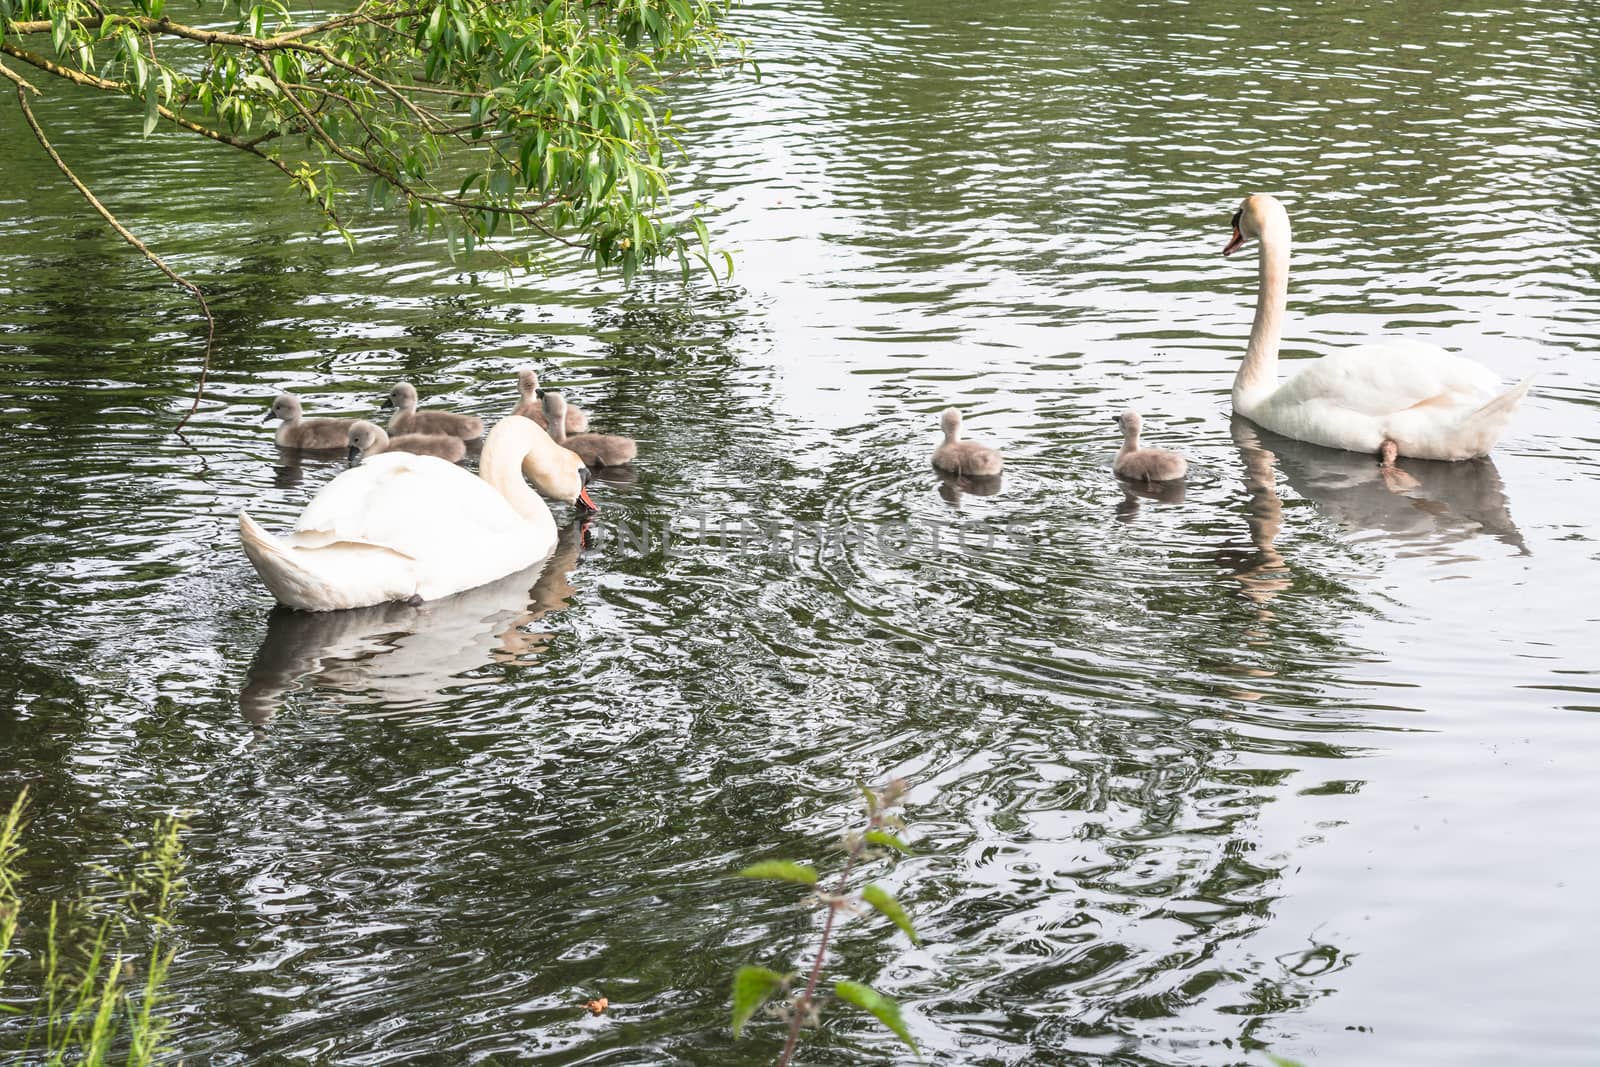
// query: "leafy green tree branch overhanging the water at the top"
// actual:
[[529, 124]]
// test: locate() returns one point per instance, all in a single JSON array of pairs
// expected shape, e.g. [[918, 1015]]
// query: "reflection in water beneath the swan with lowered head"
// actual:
[[401, 653]]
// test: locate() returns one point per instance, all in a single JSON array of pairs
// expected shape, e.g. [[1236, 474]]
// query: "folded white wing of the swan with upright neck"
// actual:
[[1382, 380]]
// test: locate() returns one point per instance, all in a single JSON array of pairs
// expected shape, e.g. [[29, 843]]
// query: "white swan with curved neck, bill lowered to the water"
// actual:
[[409, 527]]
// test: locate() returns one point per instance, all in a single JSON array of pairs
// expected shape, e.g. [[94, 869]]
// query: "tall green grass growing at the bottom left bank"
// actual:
[[87, 999]]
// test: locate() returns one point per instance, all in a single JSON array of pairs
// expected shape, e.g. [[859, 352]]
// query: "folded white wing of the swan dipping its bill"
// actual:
[[418, 506]]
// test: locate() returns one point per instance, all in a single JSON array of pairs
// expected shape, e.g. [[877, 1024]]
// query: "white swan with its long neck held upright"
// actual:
[[1393, 399]]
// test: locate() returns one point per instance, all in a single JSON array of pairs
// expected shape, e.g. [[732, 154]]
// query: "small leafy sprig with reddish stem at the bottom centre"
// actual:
[[758, 986]]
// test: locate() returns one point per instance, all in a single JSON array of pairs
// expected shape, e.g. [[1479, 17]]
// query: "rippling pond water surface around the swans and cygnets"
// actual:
[[1298, 762]]
